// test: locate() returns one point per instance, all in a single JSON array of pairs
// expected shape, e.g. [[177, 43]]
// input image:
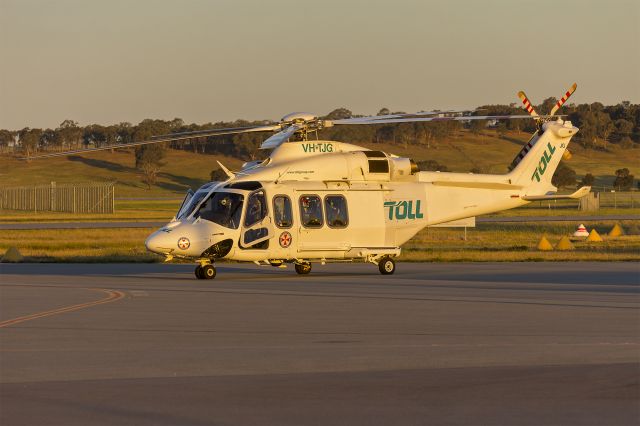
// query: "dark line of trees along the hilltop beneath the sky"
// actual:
[[600, 127]]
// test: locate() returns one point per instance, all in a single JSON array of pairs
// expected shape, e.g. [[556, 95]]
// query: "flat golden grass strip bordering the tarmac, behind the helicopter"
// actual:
[[486, 242]]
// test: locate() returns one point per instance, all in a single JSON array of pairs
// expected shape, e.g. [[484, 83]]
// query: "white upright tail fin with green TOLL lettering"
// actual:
[[535, 166]]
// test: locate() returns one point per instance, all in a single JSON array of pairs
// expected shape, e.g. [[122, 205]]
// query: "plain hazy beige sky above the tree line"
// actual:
[[113, 61]]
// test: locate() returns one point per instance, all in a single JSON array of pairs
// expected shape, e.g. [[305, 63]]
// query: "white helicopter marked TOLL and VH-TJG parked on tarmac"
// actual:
[[325, 201]]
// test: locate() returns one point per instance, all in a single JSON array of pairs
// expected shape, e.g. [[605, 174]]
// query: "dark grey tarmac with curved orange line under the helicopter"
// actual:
[[443, 344]]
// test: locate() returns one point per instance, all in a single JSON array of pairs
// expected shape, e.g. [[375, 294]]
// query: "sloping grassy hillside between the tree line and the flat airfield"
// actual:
[[183, 170]]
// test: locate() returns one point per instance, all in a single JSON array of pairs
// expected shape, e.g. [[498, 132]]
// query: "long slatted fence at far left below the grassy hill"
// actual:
[[89, 197]]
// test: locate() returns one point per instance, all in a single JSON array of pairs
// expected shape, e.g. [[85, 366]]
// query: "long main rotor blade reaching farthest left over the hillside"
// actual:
[[162, 138]]
